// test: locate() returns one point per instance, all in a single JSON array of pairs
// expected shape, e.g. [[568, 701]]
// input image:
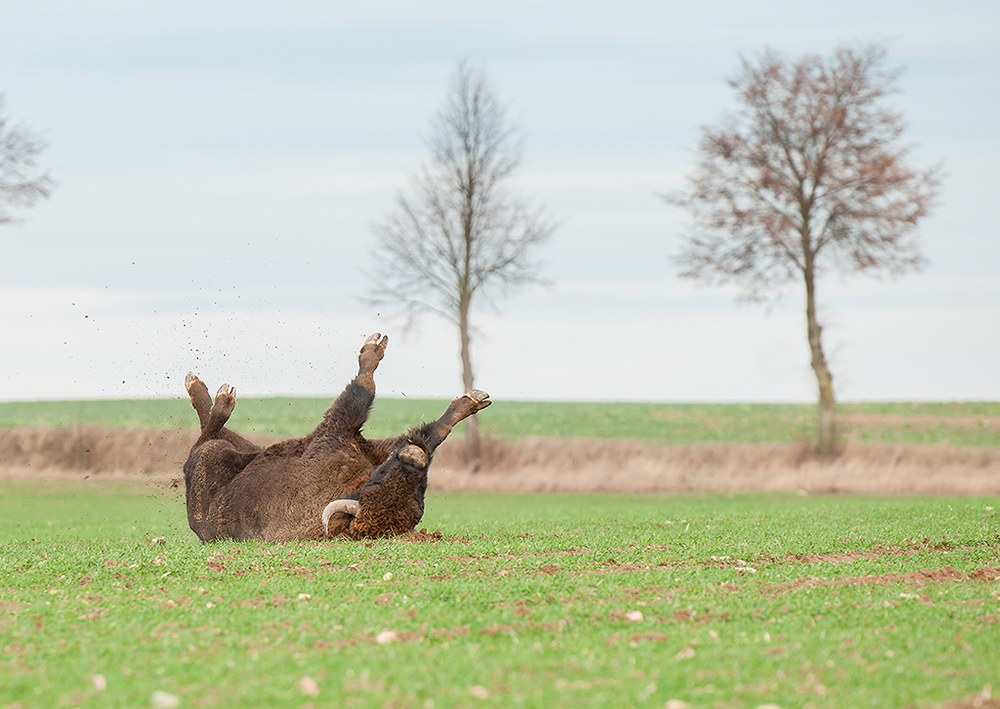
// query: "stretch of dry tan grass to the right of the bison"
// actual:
[[623, 465]]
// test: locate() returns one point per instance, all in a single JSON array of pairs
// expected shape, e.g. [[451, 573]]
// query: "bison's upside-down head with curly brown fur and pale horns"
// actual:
[[390, 503]]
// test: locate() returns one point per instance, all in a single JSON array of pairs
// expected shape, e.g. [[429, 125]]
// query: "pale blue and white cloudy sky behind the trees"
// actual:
[[220, 165]]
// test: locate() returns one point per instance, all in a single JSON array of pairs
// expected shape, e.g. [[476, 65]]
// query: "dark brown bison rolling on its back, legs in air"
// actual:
[[332, 482]]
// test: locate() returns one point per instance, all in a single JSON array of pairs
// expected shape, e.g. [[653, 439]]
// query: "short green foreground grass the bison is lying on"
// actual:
[[527, 601]]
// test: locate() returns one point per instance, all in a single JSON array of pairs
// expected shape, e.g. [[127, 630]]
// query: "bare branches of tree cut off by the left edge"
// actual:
[[21, 184]]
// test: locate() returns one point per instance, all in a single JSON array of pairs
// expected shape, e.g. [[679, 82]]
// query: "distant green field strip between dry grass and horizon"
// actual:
[[965, 424]]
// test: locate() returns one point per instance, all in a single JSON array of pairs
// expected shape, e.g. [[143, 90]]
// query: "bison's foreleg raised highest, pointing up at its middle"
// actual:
[[350, 411]]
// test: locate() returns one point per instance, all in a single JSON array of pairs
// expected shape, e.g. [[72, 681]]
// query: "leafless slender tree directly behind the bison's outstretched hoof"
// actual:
[[460, 238]]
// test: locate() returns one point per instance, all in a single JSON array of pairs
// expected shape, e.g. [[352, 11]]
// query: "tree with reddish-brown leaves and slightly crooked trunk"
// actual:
[[808, 174]]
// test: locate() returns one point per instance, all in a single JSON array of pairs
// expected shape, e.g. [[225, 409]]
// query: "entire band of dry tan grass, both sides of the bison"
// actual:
[[550, 464]]
